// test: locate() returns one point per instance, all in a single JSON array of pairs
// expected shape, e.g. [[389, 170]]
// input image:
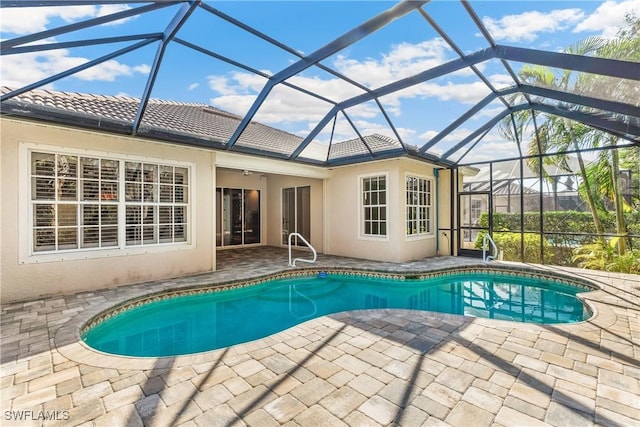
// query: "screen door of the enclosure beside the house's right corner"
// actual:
[[471, 207]]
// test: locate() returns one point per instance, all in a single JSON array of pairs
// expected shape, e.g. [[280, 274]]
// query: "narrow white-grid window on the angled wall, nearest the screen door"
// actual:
[[419, 212]]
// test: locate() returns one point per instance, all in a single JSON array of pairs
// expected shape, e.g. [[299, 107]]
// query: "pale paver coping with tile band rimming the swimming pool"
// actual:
[[68, 338]]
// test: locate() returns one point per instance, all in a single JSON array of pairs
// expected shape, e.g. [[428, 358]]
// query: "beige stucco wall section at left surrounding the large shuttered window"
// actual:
[[22, 277]]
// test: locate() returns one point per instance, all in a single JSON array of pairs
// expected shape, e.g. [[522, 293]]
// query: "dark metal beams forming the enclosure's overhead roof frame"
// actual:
[[618, 118]]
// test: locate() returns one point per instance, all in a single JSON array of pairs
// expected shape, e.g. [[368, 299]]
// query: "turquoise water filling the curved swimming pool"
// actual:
[[196, 323]]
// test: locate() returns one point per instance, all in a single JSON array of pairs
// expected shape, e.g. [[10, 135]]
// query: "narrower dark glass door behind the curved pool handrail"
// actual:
[[296, 214]]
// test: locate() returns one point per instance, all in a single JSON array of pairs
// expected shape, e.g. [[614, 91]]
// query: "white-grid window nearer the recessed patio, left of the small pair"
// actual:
[[374, 206]]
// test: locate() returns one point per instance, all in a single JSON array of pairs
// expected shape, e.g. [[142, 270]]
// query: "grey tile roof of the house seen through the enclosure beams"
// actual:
[[196, 123]]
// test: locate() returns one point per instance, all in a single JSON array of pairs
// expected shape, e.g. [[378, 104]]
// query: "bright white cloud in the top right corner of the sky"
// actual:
[[609, 17]]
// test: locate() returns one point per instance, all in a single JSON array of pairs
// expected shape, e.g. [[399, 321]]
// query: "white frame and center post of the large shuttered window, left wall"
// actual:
[[27, 254]]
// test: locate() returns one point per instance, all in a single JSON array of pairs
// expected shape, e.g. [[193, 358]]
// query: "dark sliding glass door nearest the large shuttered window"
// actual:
[[238, 216]]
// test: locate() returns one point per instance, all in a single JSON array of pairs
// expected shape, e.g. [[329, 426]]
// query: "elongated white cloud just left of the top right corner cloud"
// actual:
[[527, 26]]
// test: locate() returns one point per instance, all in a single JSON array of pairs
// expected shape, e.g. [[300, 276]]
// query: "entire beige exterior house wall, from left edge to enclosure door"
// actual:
[[335, 210]]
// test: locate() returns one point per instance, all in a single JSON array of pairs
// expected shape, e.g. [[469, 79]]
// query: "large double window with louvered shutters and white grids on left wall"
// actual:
[[83, 202]]
